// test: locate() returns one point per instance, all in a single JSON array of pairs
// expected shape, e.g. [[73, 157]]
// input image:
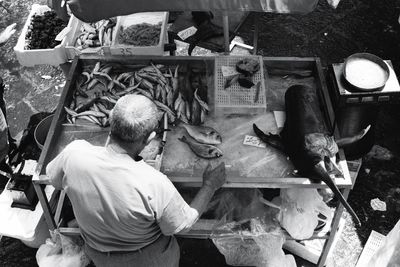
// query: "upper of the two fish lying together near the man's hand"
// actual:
[[203, 134]]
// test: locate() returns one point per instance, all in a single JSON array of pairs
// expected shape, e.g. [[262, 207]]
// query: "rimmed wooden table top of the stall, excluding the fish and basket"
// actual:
[[246, 166]]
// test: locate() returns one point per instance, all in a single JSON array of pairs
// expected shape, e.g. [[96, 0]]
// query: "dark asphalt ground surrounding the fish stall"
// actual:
[[355, 26]]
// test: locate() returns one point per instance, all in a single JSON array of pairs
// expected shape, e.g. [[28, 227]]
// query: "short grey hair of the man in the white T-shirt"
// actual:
[[133, 118]]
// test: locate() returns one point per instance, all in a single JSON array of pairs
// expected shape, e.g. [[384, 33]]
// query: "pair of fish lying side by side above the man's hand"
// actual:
[[202, 141]]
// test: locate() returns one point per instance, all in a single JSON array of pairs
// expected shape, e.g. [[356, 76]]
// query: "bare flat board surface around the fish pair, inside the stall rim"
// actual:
[[241, 160]]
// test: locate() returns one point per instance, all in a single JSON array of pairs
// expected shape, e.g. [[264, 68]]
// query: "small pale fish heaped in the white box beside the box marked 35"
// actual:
[[96, 34]]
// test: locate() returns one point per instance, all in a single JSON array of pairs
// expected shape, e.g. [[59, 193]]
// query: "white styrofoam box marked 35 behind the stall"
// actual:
[[138, 18]]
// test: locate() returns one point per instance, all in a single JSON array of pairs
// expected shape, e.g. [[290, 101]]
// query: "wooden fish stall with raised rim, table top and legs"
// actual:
[[247, 167]]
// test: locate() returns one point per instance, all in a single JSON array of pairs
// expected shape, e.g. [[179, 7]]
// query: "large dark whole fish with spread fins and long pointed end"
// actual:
[[306, 139]]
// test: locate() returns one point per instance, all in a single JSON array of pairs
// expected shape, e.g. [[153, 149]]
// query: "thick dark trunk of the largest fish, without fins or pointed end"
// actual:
[[305, 135]]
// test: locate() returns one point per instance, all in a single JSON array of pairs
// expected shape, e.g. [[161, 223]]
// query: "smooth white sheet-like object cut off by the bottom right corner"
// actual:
[[388, 255]]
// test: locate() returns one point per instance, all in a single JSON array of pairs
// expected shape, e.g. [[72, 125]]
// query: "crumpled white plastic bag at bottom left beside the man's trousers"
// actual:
[[61, 251]]
